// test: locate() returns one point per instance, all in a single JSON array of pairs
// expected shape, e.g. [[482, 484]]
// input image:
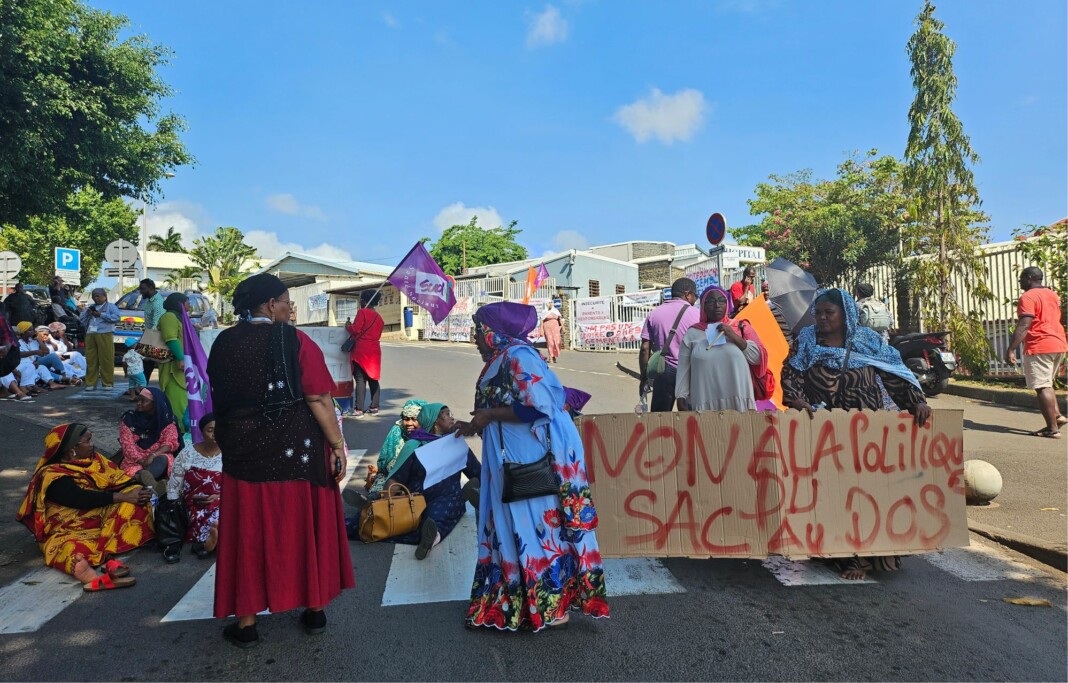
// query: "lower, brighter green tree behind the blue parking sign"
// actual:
[[88, 223]]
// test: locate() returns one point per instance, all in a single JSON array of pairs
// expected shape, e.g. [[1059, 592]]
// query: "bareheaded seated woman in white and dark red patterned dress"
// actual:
[[196, 480]]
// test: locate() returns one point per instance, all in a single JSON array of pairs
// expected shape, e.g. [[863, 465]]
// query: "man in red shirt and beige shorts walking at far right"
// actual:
[[1045, 345]]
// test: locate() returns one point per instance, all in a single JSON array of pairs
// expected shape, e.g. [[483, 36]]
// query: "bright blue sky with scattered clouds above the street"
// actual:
[[355, 129]]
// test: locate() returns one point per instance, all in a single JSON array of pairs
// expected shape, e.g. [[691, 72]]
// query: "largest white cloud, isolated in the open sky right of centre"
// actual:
[[667, 118]]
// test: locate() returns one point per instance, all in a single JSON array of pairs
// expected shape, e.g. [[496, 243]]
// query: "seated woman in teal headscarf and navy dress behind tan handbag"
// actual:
[[445, 500]]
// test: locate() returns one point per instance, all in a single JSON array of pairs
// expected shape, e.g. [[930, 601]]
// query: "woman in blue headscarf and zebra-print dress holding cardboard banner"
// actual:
[[837, 363]]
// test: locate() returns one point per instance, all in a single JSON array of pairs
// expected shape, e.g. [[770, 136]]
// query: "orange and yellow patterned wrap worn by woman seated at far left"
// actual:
[[65, 533]]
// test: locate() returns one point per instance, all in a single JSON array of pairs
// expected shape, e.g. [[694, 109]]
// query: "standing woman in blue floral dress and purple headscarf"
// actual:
[[538, 559]]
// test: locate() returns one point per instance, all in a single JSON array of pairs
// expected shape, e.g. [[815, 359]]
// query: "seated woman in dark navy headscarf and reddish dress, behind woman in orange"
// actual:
[[150, 439]]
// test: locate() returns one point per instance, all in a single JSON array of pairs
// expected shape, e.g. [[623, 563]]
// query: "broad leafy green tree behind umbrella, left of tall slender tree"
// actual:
[[835, 228]]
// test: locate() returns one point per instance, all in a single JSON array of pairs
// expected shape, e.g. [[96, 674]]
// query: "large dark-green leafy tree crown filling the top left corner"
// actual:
[[81, 107]]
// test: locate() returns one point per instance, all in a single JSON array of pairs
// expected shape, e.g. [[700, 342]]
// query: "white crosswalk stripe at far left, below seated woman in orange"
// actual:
[[30, 602]]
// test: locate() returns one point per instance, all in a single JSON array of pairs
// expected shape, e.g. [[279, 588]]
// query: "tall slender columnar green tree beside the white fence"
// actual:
[[946, 230]]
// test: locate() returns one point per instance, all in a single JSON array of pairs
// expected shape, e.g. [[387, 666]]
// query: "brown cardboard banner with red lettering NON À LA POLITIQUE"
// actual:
[[752, 485]]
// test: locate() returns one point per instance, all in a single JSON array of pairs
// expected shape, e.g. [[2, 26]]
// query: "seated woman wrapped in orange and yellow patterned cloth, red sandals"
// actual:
[[84, 511]]
